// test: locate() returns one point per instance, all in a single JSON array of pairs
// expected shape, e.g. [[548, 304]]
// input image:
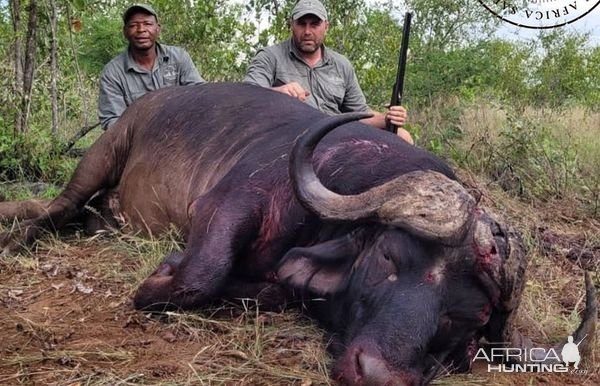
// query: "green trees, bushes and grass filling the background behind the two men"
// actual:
[[523, 114]]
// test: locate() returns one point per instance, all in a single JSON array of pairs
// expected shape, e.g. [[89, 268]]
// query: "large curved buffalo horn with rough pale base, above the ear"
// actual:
[[425, 203]]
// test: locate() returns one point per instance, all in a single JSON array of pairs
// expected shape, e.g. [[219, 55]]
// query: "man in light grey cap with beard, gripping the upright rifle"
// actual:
[[304, 68]]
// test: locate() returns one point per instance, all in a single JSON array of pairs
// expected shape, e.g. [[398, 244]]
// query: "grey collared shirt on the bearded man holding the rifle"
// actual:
[[332, 83]]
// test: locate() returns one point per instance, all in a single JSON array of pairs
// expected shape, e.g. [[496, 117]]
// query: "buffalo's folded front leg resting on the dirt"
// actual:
[[220, 229]]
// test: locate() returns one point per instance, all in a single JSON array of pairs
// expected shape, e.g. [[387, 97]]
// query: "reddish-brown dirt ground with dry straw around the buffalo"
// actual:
[[66, 319]]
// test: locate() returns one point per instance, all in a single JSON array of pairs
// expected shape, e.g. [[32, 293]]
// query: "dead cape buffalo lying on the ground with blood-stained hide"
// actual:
[[413, 274]]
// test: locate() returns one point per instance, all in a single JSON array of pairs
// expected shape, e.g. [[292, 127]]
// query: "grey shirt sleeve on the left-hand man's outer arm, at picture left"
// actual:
[[111, 100]]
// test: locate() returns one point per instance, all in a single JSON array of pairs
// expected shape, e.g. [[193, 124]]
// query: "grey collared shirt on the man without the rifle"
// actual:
[[123, 80]]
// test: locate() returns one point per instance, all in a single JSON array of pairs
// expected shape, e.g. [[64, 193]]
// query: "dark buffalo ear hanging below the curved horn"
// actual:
[[322, 269]]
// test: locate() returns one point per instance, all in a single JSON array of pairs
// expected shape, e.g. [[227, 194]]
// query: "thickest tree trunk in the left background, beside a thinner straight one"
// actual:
[[29, 67]]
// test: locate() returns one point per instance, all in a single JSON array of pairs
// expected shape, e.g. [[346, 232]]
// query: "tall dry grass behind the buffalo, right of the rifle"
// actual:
[[540, 155]]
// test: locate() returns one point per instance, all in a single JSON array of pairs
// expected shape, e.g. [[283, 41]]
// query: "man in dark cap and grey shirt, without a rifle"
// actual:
[[145, 66]]
